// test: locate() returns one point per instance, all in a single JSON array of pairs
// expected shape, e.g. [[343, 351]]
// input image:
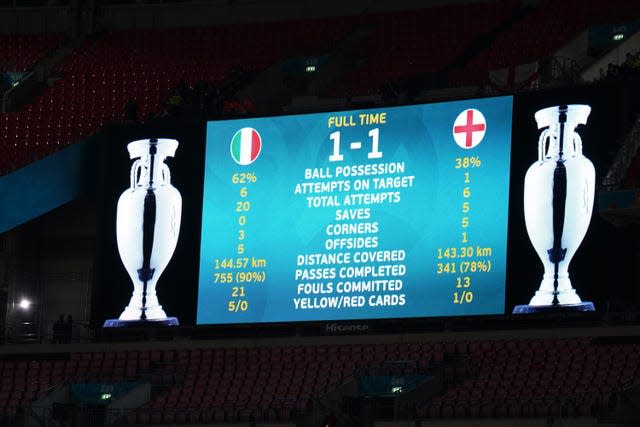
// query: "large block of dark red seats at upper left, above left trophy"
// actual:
[[103, 73]]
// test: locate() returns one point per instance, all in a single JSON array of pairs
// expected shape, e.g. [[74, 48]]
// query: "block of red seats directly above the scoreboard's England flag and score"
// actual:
[[413, 43]]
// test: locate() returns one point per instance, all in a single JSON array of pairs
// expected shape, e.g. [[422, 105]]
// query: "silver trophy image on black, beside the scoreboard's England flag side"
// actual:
[[558, 201]]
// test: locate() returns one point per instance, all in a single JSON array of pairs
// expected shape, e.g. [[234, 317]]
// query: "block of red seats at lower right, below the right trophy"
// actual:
[[536, 378]]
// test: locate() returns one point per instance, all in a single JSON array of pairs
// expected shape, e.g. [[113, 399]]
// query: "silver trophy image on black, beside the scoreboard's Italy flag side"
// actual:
[[147, 228]]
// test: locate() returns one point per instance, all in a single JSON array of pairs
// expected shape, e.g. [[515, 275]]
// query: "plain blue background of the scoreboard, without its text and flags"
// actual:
[[280, 225]]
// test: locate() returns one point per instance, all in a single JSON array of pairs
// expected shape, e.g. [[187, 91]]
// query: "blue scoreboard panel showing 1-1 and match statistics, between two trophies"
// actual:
[[380, 213]]
